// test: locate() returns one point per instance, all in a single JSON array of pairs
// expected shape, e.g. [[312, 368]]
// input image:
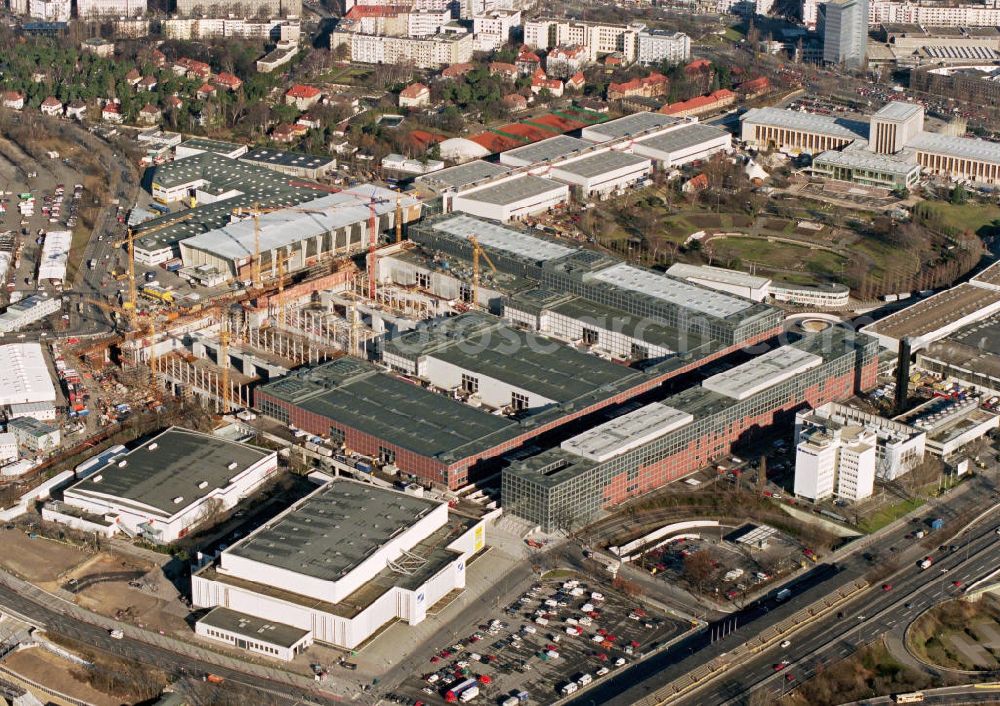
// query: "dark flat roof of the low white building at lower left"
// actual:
[[177, 463]]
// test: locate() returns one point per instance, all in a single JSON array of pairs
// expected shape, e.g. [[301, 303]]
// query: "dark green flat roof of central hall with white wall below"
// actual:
[[488, 346]]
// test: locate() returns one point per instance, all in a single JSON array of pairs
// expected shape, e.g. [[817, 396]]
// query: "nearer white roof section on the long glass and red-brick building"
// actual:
[[627, 432]]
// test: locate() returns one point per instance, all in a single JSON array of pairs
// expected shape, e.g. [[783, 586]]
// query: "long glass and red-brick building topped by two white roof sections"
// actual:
[[644, 450]]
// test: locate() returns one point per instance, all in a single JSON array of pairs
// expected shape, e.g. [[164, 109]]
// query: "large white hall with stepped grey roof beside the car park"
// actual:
[[337, 567]]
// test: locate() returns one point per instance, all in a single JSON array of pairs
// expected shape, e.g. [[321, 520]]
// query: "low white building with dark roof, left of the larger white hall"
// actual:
[[168, 485]]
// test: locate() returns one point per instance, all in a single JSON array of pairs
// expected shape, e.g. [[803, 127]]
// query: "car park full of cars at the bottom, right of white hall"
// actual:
[[556, 639]]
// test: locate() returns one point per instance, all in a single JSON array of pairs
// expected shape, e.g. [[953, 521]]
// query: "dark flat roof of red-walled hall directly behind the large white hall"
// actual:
[[356, 394]]
